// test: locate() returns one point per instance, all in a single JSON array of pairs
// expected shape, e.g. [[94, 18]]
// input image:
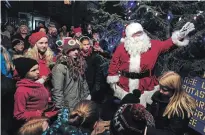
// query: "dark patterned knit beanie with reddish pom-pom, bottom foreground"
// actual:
[[131, 119]]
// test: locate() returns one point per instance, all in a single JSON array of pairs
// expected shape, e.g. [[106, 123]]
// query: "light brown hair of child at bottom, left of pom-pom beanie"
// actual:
[[84, 114]]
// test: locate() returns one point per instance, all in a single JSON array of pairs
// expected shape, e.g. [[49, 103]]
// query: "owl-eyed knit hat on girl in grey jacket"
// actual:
[[71, 44]]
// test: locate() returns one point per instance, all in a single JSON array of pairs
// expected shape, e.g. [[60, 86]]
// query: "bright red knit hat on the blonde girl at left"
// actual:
[[35, 37]]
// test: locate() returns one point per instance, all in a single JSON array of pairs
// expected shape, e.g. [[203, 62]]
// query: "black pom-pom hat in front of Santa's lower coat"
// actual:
[[133, 97]]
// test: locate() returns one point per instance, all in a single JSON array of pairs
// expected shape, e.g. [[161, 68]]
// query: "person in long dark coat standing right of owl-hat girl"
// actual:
[[94, 73]]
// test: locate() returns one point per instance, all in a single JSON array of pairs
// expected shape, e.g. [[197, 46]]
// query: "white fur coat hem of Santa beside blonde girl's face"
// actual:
[[146, 97]]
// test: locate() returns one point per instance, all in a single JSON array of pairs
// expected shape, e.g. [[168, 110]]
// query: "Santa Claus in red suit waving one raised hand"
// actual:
[[133, 61]]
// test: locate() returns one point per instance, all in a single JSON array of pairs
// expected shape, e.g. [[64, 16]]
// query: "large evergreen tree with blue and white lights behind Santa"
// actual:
[[159, 20]]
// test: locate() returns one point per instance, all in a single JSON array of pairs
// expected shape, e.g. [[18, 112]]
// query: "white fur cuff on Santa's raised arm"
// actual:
[[176, 41]]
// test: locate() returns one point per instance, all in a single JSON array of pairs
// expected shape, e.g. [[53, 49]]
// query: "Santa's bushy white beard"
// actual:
[[137, 45]]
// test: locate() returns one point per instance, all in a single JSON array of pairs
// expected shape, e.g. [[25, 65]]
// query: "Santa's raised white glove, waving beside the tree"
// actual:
[[185, 30]]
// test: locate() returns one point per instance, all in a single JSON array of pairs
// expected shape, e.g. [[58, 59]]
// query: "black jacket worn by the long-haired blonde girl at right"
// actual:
[[164, 126]]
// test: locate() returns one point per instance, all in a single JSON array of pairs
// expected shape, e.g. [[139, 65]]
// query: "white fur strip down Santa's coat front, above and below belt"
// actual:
[[134, 67]]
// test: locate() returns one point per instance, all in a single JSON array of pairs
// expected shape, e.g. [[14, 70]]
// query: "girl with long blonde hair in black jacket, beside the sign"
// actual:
[[172, 107]]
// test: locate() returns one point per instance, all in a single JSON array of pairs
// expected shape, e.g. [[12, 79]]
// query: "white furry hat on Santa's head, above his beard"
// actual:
[[133, 28]]
